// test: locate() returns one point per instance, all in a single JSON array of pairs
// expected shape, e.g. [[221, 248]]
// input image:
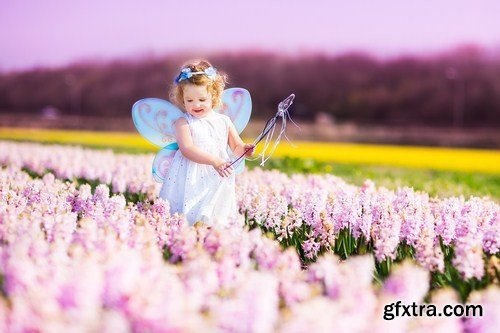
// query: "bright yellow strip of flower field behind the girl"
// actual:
[[472, 160]]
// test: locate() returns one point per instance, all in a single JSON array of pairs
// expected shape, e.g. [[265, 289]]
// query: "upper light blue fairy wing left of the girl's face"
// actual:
[[154, 119]]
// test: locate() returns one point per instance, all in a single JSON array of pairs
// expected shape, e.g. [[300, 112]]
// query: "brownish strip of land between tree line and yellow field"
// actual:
[[308, 130]]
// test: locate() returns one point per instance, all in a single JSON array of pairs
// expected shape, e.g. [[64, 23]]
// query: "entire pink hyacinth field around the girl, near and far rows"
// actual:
[[86, 246]]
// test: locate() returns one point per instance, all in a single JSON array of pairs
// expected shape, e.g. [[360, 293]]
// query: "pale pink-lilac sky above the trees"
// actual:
[[55, 32]]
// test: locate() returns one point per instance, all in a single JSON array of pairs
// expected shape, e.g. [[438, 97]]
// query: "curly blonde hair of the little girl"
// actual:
[[214, 86]]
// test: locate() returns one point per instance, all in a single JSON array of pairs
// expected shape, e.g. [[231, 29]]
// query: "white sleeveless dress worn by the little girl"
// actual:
[[196, 190]]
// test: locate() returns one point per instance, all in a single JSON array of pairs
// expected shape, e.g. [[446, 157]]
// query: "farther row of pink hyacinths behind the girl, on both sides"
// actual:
[[318, 213]]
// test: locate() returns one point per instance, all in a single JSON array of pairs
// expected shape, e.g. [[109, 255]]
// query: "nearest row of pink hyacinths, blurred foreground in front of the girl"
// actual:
[[75, 260]]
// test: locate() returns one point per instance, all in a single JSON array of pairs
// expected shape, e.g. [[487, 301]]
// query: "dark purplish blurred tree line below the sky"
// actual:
[[459, 88]]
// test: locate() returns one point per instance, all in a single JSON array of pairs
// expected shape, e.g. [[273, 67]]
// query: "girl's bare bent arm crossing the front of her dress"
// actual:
[[195, 154]]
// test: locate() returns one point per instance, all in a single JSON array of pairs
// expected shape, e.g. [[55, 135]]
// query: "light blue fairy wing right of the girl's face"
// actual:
[[237, 105]]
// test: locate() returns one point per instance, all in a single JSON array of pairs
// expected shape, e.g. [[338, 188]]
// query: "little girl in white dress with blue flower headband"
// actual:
[[199, 183]]
